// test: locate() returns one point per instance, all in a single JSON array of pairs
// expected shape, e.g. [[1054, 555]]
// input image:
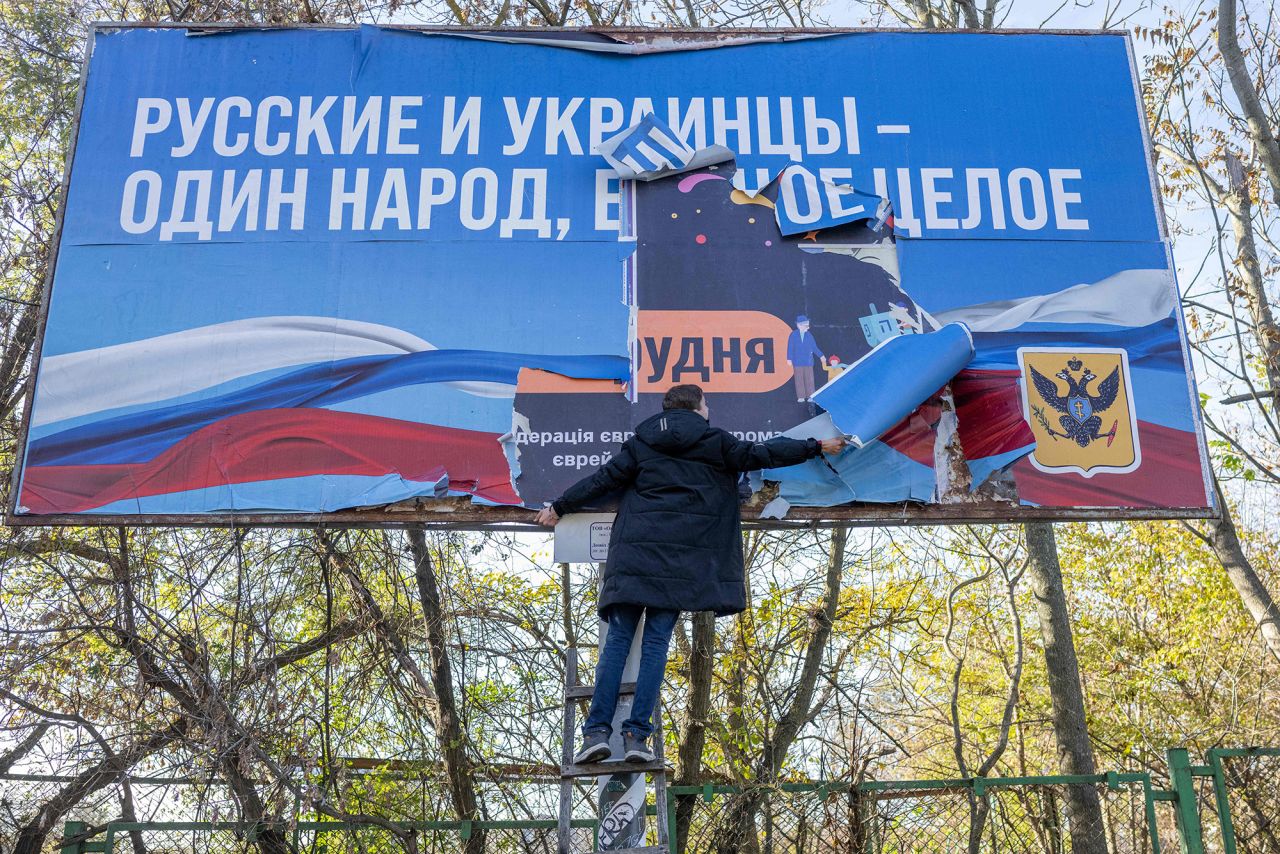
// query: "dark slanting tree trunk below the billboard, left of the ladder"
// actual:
[[454, 743]]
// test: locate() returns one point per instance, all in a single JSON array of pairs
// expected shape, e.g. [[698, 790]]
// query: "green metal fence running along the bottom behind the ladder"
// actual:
[[1228, 806]]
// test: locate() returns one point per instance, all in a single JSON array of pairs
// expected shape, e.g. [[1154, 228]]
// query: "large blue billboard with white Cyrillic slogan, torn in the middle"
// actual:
[[382, 275]]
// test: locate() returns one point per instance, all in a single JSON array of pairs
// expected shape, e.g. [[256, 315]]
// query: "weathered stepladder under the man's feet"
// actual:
[[624, 794]]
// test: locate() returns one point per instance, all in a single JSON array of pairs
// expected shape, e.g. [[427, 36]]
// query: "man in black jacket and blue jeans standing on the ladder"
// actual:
[[676, 547]]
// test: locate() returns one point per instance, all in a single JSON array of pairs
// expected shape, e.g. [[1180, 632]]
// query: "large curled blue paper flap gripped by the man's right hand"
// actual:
[[886, 385]]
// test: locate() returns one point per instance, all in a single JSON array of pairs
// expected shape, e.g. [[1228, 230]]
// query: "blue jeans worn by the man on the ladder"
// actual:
[[624, 620]]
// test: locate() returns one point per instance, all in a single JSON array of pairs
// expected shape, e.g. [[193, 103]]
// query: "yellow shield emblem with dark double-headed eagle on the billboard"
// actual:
[[1080, 405]]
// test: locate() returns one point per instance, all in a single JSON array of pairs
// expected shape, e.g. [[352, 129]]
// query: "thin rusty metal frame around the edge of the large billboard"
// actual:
[[460, 514]]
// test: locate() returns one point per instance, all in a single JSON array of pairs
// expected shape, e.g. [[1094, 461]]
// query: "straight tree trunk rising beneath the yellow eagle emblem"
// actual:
[[1075, 751]]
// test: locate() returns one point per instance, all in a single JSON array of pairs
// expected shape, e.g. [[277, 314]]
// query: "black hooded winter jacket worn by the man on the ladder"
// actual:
[[678, 538]]
